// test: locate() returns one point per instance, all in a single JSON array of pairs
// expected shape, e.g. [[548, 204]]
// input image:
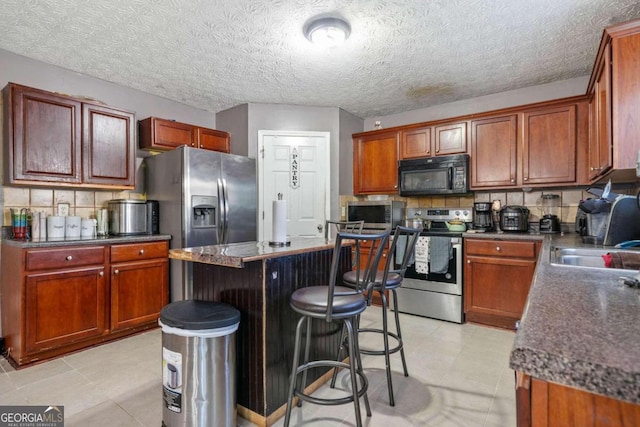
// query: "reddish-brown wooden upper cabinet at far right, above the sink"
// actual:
[[614, 90]]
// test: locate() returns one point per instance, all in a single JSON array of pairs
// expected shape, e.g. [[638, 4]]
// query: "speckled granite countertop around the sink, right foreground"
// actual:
[[580, 327]]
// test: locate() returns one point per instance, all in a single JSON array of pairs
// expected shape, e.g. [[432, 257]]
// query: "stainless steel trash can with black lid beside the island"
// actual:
[[198, 364]]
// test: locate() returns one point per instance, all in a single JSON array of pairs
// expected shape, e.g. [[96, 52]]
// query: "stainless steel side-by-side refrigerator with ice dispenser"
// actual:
[[205, 198]]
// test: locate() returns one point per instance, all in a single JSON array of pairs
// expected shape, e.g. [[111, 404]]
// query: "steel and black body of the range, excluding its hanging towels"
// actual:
[[437, 295]]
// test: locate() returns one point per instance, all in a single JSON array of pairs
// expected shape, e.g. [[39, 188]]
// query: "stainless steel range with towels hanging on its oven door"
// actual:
[[432, 286]]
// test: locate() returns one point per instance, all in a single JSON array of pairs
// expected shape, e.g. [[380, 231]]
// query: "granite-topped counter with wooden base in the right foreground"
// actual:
[[577, 351]]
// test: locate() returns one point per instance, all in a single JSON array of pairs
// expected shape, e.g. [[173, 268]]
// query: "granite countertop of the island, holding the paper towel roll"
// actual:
[[236, 254]]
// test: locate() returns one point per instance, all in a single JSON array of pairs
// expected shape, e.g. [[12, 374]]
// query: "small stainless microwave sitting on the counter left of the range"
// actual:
[[376, 214]]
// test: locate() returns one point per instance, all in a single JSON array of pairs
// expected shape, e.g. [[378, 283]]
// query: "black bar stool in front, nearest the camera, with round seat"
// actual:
[[336, 302]]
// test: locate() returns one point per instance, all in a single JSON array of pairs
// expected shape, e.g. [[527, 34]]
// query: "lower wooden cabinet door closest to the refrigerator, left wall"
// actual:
[[139, 290]]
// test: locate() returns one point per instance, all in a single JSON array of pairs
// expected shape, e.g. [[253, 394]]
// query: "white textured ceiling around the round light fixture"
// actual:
[[401, 55]]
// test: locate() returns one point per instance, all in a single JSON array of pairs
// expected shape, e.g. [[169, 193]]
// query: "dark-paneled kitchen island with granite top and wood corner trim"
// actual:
[[259, 279]]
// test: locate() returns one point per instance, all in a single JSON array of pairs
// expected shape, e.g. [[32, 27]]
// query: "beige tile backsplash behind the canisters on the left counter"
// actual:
[[82, 203]]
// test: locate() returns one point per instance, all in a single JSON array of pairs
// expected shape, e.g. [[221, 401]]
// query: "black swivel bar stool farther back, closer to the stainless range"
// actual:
[[400, 253]]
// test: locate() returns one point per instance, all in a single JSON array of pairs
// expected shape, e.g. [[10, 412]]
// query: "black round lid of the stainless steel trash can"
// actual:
[[195, 314]]
